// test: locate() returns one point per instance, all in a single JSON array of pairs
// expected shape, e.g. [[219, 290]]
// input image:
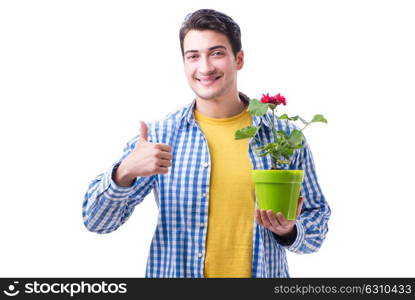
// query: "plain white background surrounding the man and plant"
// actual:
[[77, 76]]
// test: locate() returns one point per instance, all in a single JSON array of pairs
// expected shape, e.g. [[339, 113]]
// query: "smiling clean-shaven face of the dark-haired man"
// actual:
[[209, 64]]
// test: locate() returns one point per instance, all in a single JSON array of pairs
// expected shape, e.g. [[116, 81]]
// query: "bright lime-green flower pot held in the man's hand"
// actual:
[[278, 190]]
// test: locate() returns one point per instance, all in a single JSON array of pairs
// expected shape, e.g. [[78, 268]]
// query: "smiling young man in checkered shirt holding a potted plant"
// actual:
[[208, 225]]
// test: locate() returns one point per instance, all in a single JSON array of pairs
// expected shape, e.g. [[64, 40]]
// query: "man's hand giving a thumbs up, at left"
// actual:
[[146, 159]]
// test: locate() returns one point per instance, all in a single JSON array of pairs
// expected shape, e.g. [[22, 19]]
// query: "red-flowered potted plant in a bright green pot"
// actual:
[[277, 189]]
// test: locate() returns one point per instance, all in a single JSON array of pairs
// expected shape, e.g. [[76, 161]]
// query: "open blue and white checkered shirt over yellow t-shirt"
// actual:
[[182, 196]]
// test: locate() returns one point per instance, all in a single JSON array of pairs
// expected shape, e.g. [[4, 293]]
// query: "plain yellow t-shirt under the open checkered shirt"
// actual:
[[231, 198]]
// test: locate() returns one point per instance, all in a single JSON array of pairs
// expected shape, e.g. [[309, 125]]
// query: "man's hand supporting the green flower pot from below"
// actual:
[[277, 223]]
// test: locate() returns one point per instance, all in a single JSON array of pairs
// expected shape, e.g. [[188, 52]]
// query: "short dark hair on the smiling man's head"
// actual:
[[204, 19]]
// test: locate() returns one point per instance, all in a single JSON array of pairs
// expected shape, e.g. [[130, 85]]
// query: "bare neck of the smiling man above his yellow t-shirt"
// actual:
[[219, 108]]
